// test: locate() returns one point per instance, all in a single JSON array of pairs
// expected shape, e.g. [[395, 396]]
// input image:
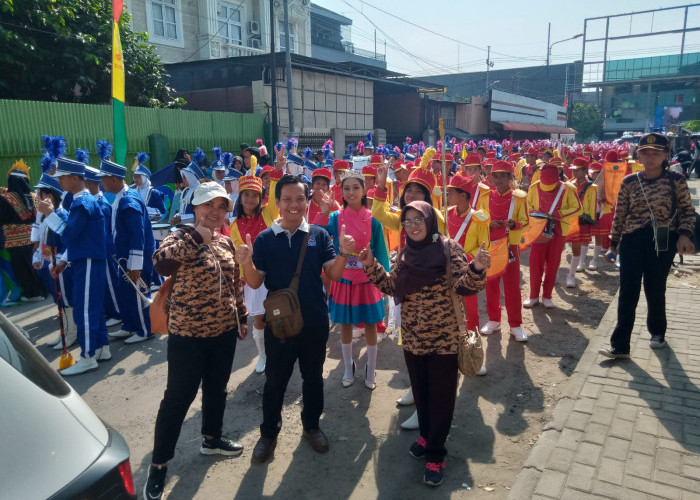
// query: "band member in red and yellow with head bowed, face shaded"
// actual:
[[558, 200]]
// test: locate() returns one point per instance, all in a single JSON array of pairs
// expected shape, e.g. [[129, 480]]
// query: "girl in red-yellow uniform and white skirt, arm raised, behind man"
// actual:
[[253, 217]]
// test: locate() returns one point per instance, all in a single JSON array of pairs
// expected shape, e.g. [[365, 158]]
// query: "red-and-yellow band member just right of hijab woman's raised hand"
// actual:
[[508, 211]]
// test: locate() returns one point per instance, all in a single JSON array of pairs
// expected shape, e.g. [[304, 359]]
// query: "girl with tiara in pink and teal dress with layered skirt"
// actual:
[[354, 299]]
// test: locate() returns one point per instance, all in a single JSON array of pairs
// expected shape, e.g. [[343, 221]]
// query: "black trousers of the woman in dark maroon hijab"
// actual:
[[434, 382]]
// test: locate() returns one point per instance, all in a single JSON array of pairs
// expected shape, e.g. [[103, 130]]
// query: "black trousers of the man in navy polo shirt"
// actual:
[[309, 347]]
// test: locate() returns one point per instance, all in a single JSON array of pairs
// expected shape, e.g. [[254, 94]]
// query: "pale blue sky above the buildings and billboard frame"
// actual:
[[515, 30]]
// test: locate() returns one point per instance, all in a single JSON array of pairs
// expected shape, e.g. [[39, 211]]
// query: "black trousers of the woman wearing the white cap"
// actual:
[[193, 360]]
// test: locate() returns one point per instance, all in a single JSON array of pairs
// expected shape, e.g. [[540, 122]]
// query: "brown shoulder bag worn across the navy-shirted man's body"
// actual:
[[282, 307]]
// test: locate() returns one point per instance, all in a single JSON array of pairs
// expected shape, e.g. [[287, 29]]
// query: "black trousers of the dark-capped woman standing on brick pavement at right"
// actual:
[[639, 264]]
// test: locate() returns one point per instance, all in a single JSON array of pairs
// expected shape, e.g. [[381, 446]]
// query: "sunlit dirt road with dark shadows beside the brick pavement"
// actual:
[[497, 418]]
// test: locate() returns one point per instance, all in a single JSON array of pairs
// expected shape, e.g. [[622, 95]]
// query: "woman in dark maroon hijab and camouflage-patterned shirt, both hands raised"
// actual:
[[429, 325]]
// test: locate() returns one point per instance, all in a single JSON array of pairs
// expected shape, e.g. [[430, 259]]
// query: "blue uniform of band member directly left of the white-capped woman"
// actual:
[[133, 248]]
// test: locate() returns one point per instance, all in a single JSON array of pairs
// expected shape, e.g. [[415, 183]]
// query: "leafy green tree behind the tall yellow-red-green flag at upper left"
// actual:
[[61, 50]]
